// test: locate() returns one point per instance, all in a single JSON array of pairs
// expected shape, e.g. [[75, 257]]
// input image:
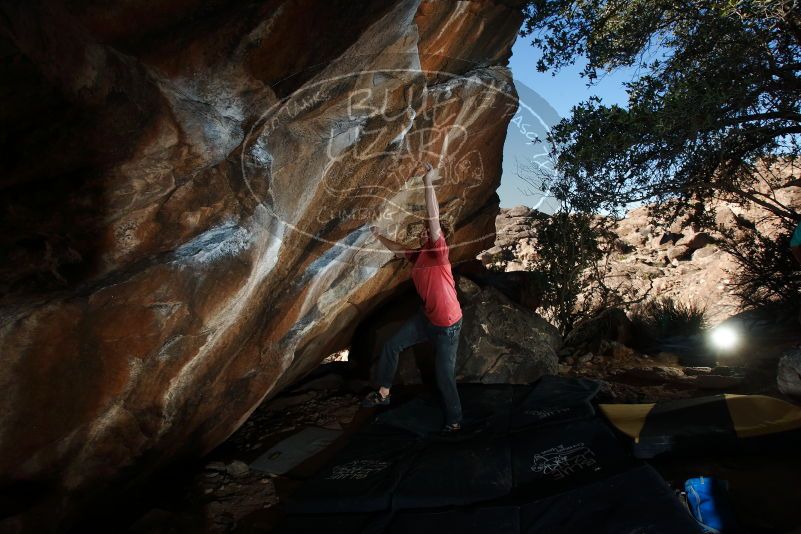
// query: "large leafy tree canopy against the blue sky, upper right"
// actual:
[[719, 90]]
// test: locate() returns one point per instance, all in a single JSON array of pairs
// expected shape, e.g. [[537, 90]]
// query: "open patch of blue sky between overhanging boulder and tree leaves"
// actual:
[[545, 99]]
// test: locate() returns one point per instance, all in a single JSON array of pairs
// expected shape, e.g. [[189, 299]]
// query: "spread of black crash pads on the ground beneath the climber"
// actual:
[[522, 464]]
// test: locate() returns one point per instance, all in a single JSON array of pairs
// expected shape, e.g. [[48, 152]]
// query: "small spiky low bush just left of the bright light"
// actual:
[[664, 317]]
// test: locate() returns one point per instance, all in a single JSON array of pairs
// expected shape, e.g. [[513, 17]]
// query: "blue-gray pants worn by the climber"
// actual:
[[446, 342]]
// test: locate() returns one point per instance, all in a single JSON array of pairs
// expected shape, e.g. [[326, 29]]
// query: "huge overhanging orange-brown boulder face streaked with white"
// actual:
[[187, 205]]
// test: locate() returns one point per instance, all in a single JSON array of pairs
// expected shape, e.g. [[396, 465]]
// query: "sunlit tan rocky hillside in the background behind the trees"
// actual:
[[676, 262]]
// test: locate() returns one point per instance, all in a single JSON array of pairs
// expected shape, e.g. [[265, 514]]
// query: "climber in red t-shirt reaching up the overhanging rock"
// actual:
[[439, 319]]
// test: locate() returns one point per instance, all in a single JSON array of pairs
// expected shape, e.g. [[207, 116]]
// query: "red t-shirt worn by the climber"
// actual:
[[434, 282]]
